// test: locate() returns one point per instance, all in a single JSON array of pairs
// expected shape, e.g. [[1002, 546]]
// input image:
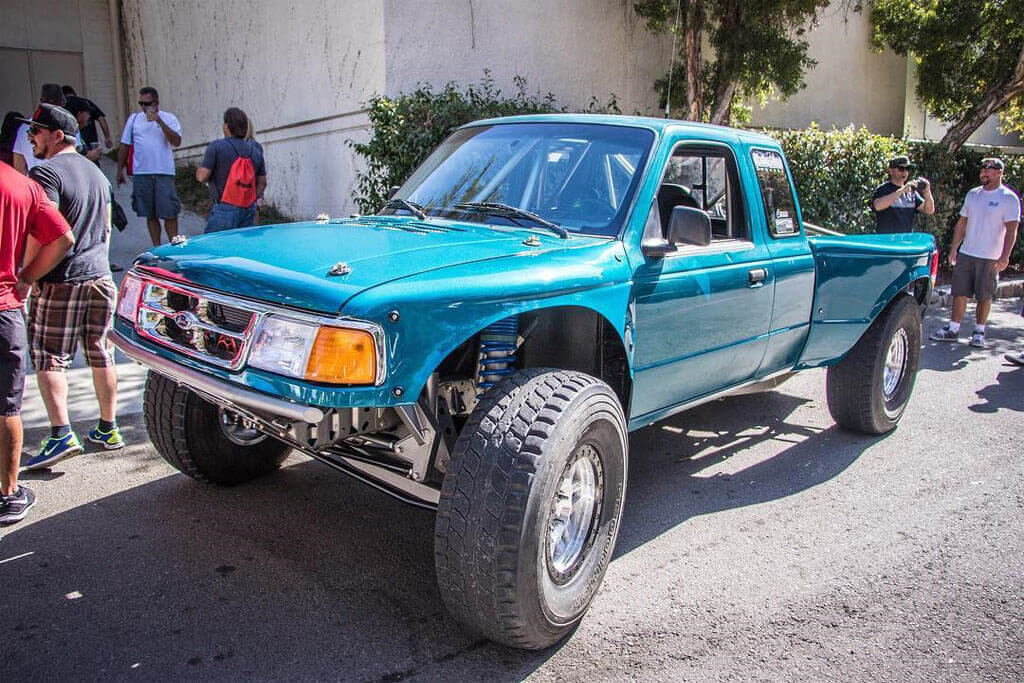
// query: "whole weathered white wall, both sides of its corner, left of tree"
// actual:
[[305, 71]]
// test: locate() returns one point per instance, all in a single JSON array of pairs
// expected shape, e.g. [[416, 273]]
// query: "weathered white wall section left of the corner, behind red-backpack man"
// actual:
[[302, 71]]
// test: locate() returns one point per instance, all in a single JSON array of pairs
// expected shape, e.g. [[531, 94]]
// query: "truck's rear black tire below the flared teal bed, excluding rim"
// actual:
[[855, 386]]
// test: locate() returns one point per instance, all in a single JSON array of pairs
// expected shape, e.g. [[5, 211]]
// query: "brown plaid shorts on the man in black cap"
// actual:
[[61, 314]]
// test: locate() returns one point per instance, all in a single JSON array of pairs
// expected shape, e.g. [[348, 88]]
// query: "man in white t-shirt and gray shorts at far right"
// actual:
[[985, 237]]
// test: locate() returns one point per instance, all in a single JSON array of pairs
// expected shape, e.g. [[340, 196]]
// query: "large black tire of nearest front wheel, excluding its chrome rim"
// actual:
[[492, 548]]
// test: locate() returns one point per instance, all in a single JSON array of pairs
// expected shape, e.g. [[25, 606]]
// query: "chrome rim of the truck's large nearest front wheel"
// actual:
[[575, 513]]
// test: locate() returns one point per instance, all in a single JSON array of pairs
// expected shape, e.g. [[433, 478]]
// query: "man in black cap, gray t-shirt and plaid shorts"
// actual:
[[75, 302]]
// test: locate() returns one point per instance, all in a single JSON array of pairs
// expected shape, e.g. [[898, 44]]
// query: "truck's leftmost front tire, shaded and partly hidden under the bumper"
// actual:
[[186, 431]]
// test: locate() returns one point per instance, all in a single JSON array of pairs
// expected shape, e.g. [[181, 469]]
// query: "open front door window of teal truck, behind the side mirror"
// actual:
[[707, 181]]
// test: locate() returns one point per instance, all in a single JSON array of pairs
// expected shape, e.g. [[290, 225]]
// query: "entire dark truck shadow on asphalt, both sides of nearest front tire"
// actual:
[[307, 575]]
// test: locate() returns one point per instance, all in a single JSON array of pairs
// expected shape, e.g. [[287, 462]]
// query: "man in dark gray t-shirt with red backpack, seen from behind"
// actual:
[[217, 167]]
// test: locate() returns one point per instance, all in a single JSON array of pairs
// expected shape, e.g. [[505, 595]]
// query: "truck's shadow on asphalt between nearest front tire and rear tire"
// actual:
[[669, 483]]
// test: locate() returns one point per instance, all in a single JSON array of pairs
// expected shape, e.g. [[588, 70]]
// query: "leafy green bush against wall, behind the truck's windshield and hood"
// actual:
[[407, 129]]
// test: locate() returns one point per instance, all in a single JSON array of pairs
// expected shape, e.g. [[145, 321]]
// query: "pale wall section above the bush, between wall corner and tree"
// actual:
[[573, 50]]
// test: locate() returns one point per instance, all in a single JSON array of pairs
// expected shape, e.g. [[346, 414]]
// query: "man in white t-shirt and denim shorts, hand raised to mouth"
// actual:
[[152, 135]]
